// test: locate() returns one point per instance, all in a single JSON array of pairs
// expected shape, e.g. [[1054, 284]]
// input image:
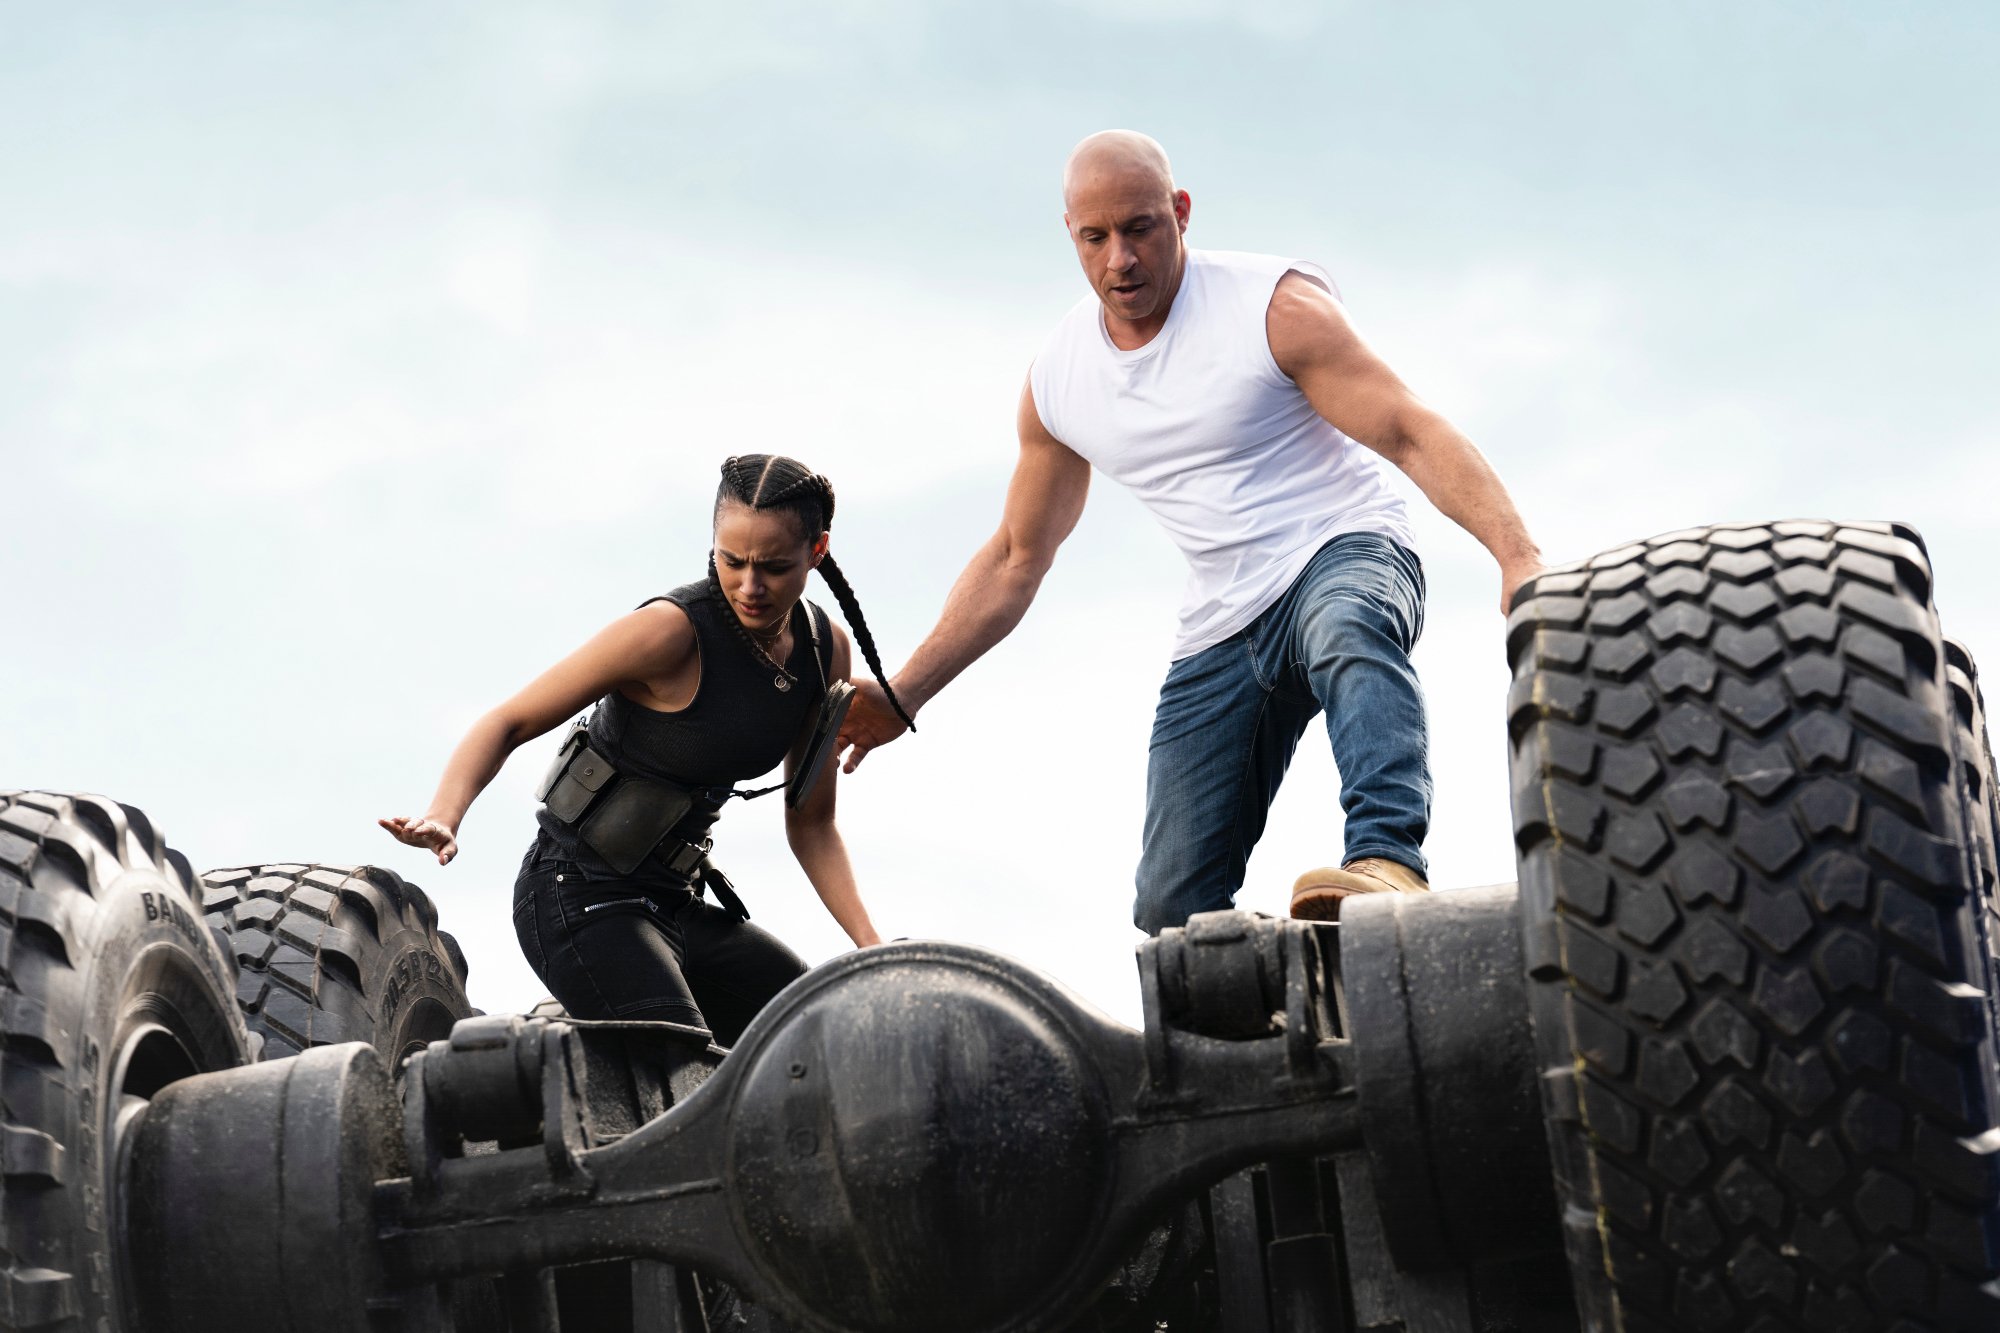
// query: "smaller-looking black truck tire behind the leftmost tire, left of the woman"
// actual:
[[339, 954]]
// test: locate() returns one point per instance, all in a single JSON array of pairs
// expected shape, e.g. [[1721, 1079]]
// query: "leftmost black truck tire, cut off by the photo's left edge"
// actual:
[[111, 990]]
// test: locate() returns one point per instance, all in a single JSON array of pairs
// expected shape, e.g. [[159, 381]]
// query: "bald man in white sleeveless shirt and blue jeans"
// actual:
[[1233, 395]]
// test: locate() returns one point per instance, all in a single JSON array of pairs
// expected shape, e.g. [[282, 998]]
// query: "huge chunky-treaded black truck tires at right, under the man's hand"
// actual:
[[1751, 816]]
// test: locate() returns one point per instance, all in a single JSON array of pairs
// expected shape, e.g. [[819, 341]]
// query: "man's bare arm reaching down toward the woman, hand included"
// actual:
[[1043, 503]]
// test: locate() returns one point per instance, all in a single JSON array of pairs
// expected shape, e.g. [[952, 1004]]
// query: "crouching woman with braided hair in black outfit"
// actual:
[[697, 692]]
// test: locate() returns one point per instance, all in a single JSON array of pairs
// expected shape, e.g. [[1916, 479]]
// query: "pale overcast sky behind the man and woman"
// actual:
[[359, 361]]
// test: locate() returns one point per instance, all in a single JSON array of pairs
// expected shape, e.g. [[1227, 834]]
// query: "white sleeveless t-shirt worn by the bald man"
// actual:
[[1215, 439]]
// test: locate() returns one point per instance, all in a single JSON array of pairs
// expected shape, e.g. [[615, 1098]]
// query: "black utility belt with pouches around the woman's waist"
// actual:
[[625, 820]]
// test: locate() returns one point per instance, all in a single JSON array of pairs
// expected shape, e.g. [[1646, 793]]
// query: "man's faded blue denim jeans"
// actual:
[[1231, 716]]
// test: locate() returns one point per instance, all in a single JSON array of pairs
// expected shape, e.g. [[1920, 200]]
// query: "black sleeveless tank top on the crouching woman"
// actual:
[[737, 728]]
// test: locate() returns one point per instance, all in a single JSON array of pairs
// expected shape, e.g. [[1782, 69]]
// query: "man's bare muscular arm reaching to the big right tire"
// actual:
[[1351, 387]]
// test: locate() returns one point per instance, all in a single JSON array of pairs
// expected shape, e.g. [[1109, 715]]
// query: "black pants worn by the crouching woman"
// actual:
[[645, 948]]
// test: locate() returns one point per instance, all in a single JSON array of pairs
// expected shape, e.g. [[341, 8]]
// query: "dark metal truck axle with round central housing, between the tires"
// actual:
[[1337, 1126]]
